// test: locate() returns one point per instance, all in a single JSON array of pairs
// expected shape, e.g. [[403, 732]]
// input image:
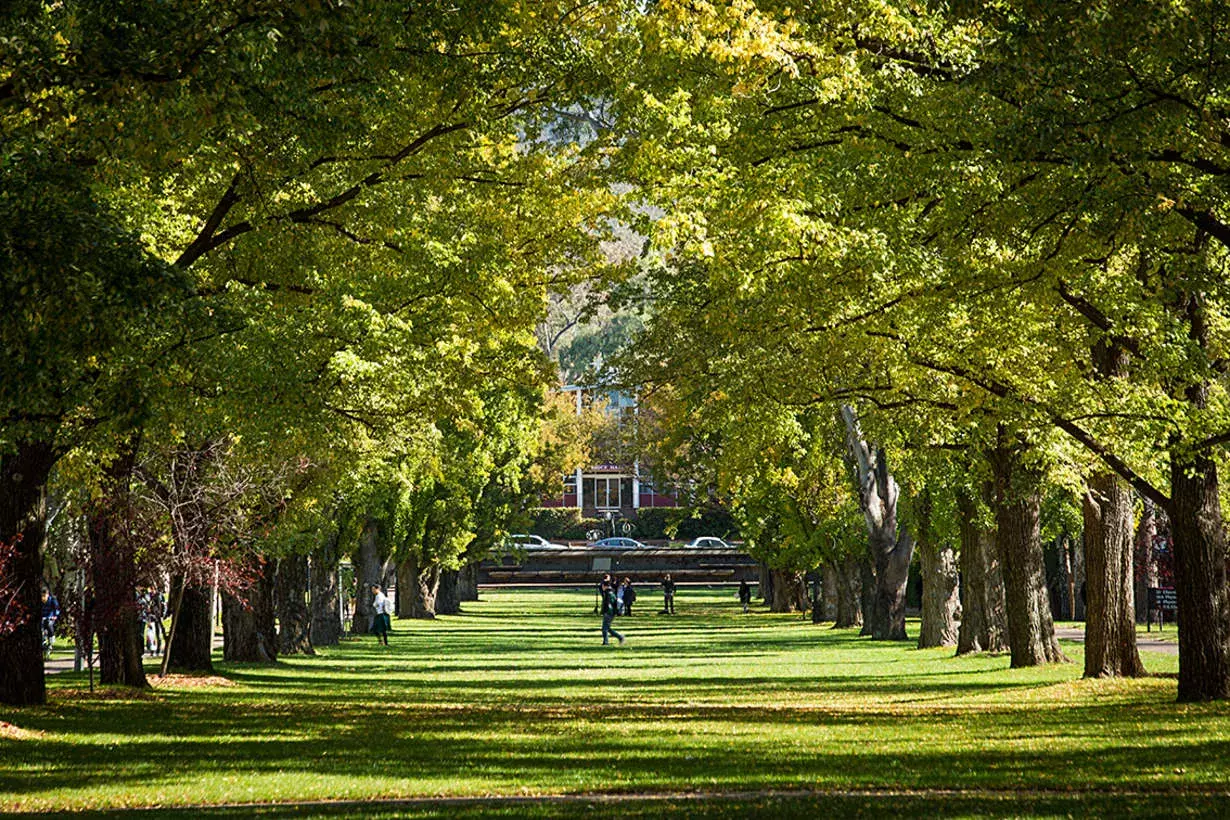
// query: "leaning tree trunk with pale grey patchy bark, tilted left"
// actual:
[[891, 551]]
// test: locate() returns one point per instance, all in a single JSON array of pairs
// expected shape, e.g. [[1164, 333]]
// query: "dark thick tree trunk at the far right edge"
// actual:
[[1200, 548]]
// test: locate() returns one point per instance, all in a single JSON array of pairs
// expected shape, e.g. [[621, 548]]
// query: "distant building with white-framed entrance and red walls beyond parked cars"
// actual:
[[618, 487]]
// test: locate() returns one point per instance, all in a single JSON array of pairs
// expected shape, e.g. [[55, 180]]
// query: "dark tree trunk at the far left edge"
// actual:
[[24, 528]]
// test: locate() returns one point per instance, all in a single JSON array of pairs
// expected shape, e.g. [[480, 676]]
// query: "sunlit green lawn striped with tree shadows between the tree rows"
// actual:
[[709, 714]]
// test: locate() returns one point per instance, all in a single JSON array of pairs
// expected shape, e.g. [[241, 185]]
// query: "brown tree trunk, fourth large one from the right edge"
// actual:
[[983, 624]]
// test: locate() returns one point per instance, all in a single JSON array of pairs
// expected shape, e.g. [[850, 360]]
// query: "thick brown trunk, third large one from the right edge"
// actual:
[[1031, 630]]
